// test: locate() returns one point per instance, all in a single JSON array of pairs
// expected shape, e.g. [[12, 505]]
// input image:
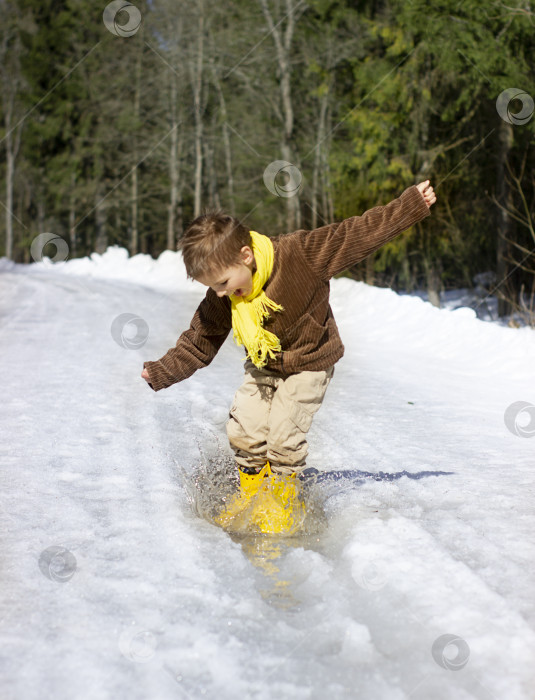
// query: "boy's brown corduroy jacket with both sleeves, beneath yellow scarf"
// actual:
[[304, 262]]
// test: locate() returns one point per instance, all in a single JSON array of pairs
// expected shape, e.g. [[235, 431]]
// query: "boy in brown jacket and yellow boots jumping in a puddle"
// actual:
[[274, 295]]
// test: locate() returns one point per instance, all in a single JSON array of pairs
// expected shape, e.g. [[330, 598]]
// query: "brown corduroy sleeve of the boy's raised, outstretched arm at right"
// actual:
[[333, 248]]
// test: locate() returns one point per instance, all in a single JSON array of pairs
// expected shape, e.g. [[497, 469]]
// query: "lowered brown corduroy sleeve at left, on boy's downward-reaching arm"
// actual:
[[196, 347]]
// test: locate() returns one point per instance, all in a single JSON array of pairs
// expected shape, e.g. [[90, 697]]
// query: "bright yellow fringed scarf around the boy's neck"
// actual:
[[249, 312]]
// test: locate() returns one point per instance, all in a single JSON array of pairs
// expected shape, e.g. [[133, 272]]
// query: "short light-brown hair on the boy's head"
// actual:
[[212, 242]]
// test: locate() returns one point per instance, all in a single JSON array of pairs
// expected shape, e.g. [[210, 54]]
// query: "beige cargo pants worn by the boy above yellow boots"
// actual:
[[271, 416]]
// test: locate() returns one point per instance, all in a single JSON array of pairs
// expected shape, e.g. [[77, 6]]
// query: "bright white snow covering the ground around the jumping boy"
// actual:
[[114, 587]]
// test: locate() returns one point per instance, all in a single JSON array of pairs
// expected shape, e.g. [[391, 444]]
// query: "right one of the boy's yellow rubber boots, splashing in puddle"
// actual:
[[277, 507]]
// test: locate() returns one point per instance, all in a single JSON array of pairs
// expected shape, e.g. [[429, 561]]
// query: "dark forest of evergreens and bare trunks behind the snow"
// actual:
[[123, 140]]
